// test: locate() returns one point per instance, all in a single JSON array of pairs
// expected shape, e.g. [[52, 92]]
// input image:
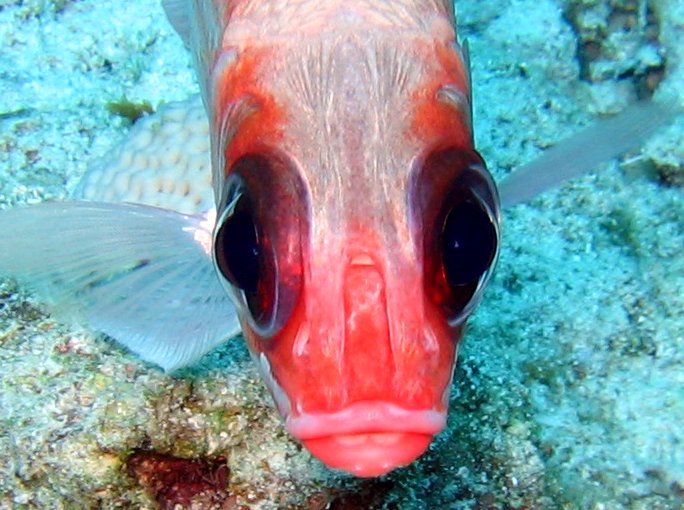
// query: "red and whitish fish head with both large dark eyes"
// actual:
[[357, 228]]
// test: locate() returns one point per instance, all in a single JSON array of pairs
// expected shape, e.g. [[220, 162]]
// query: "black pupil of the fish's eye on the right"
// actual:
[[468, 242]]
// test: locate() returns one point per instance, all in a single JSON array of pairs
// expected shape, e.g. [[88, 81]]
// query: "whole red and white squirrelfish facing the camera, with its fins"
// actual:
[[354, 231]]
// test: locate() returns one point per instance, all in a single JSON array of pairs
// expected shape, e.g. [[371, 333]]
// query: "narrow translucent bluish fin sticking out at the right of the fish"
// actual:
[[600, 142]]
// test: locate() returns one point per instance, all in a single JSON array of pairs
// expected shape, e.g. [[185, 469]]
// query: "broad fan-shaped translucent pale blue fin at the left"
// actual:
[[140, 274]]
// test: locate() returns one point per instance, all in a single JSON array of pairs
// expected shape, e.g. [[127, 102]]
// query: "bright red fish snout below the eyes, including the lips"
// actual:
[[362, 370]]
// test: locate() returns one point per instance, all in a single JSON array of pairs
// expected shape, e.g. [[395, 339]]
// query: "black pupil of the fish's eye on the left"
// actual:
[[239, 251]]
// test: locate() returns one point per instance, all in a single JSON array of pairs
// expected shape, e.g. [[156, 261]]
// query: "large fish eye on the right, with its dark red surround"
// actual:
[[456, 217]]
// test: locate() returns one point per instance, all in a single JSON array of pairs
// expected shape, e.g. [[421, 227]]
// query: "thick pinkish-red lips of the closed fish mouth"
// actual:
[[367, 439]]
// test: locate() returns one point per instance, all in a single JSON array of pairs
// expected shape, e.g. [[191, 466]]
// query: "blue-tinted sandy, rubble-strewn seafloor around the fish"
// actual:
[[569, 391]]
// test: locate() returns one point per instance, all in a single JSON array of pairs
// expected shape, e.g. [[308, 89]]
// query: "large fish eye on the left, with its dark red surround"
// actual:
[[262, 218]]
